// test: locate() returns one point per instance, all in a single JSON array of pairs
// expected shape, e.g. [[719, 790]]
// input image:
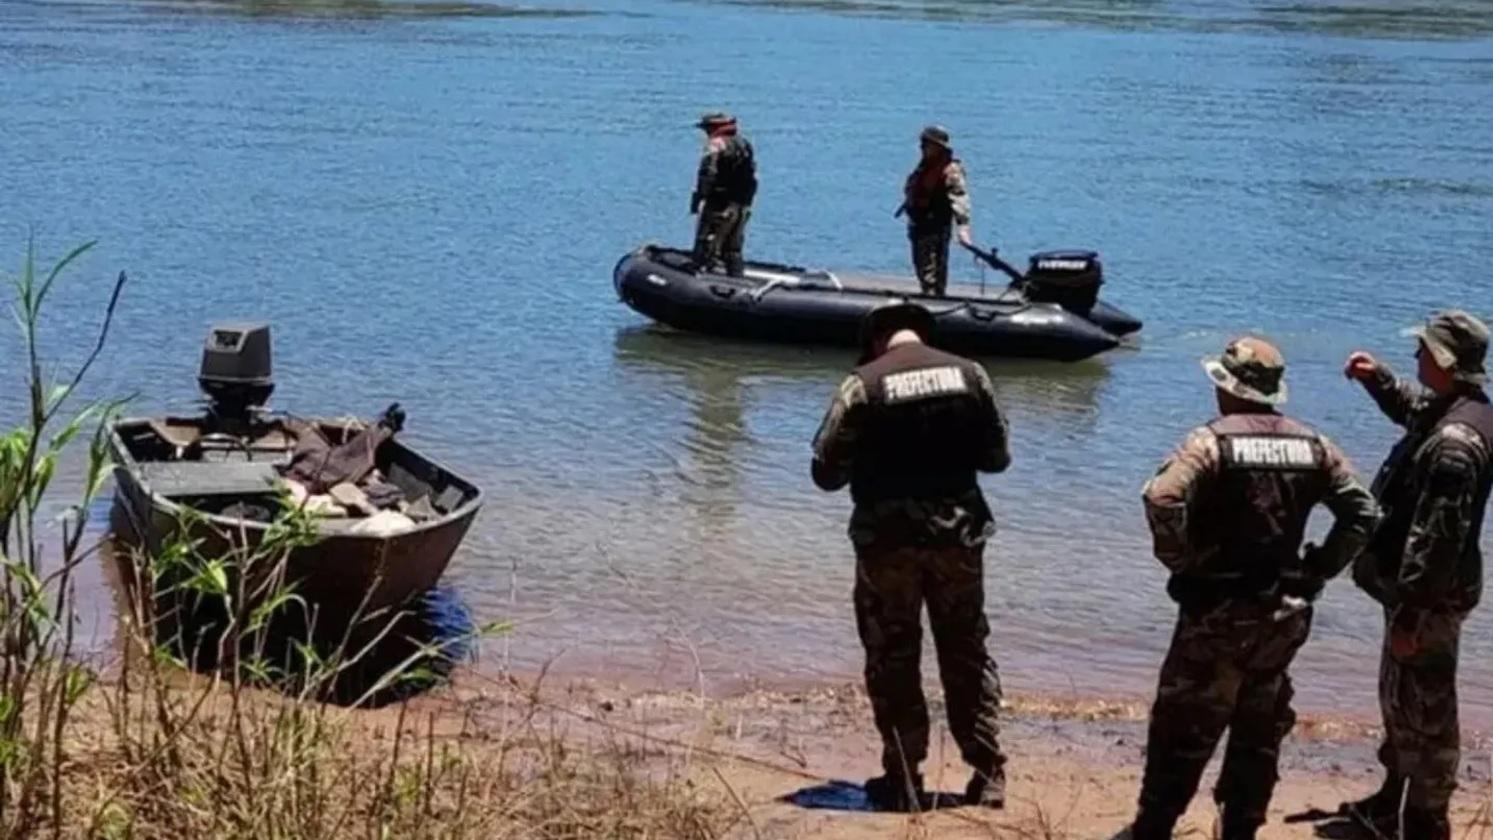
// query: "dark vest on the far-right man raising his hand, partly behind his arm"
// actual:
[[1398, 495]]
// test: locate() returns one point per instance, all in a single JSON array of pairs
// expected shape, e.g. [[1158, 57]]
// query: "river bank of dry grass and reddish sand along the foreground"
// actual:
[[153, 751]]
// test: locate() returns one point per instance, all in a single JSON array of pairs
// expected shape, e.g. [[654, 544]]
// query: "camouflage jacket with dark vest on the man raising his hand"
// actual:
[[1434, 490]]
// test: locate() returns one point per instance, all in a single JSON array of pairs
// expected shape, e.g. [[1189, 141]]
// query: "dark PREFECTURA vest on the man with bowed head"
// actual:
[[923, 427]]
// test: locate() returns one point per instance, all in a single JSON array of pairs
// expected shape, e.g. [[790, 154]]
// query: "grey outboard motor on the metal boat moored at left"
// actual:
[[235, 372]]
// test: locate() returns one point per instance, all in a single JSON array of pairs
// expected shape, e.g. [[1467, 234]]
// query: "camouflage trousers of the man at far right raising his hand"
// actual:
[[1419, 700]]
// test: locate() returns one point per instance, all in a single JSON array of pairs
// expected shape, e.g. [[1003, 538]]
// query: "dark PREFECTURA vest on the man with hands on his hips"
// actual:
[[1273, 471]]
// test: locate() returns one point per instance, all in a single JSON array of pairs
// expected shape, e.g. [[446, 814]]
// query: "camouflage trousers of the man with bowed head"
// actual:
[[892, 586]]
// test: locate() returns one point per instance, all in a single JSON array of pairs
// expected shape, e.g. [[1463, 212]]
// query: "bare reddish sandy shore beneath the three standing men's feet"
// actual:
[[789, 762]]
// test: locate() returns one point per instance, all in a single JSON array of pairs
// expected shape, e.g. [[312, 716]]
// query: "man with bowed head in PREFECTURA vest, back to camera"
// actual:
[[908, 430]]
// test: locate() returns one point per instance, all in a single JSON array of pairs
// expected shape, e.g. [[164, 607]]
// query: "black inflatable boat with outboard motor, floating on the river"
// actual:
[[1032, 319]]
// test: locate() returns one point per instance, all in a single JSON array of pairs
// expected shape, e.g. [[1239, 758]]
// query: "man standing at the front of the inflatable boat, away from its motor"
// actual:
[[725, 189]]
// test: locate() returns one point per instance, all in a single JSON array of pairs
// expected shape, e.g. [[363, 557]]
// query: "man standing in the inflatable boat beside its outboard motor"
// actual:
[[935, 198]]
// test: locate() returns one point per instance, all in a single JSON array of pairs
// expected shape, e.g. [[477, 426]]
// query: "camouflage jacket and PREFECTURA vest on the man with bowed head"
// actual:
[[908, 432]]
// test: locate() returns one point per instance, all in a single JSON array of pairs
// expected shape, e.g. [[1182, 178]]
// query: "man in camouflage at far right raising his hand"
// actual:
[[1424, 563]]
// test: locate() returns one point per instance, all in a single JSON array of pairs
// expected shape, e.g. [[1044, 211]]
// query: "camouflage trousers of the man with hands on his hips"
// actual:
[[1226, 671]]
